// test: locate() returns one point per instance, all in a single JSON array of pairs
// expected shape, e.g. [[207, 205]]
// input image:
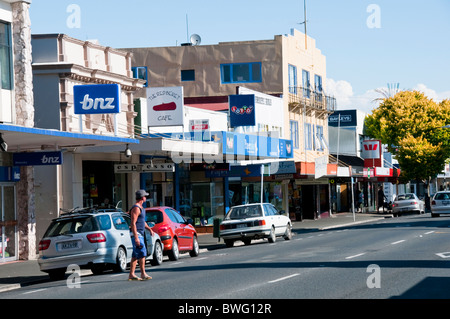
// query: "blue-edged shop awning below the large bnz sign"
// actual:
[[20, 139]]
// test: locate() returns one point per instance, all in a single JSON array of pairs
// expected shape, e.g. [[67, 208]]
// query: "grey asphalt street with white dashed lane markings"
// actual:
[[406, 257]]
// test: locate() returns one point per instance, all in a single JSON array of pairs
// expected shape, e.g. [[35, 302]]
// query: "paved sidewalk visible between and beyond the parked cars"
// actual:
[[18, 274]]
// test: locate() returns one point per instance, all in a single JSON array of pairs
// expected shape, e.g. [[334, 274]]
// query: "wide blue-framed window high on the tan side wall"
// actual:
[[241, 72]]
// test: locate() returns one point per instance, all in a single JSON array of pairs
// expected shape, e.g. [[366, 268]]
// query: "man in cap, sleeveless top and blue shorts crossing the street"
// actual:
[[138, 226]]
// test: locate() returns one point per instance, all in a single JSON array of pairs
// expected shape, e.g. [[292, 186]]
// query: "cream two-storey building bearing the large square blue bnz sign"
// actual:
[[61, 66]]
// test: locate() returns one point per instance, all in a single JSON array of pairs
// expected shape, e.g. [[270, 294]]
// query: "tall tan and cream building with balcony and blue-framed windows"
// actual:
[[288, 66]]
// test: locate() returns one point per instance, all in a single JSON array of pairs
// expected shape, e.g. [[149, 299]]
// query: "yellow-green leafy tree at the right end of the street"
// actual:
[[411, 125]]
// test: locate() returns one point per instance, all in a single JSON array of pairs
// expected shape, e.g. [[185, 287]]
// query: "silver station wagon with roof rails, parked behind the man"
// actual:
[[97, 239]]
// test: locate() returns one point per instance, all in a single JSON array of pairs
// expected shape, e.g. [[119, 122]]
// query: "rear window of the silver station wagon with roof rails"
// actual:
[[69, 226]]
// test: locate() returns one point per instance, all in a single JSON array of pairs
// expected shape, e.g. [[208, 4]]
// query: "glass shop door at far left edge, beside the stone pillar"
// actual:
[[8, 223]]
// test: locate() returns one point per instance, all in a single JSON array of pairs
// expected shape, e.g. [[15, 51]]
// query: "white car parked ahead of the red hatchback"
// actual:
[[253, 221]]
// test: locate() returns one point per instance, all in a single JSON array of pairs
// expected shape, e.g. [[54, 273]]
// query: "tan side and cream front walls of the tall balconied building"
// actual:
[[165, 64]]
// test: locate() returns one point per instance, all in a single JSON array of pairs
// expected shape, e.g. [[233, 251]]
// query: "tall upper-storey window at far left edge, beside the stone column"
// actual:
[[5, 57]]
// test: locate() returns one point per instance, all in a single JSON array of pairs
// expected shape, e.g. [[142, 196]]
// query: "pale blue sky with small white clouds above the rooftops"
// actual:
[[367, 43]]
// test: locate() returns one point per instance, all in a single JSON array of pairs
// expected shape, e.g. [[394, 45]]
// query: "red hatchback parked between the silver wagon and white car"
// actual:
[[177, 234]]
